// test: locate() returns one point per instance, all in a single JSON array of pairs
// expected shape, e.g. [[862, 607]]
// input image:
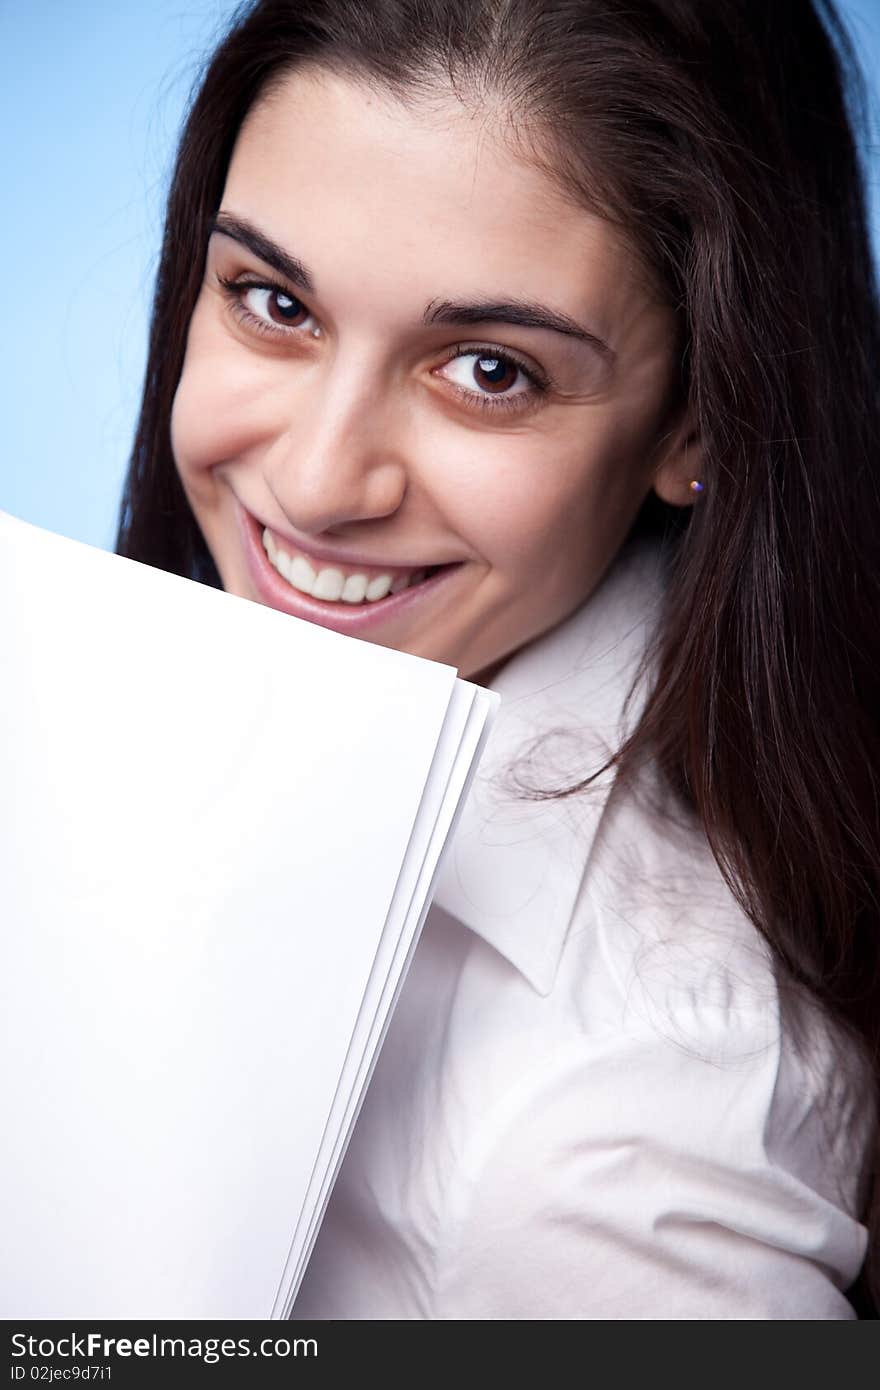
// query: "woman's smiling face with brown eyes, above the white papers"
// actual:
[[411, 351]]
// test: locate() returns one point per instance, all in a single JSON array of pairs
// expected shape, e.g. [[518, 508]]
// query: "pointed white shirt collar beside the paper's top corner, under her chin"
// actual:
[[515, 868]]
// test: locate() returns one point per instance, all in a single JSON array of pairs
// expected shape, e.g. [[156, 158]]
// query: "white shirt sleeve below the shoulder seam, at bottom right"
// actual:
[[681, 1174]]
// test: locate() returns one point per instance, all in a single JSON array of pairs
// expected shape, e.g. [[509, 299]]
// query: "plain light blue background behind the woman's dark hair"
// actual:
[[92, 94]]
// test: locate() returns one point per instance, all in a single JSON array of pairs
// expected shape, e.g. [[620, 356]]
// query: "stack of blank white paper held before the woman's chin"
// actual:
[[220, 831]]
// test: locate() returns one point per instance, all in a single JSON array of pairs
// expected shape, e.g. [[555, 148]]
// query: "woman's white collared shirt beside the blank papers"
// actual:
[[586, 1106]]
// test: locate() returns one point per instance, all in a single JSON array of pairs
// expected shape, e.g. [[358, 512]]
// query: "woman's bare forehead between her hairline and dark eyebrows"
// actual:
[[434, 198]]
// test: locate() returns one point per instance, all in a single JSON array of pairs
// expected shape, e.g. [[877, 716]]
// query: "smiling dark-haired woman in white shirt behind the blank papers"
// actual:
[[541, 341]]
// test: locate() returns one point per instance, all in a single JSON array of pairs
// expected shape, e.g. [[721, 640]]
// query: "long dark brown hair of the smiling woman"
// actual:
[[721, 138]]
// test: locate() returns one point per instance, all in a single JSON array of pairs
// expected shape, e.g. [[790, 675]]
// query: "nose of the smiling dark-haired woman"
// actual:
[[340, 455]]
